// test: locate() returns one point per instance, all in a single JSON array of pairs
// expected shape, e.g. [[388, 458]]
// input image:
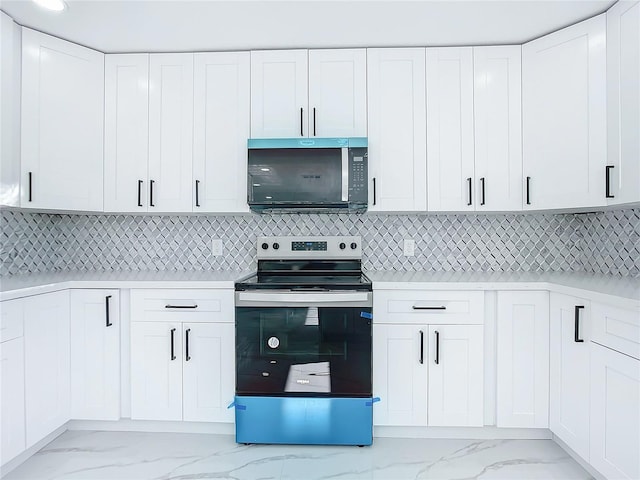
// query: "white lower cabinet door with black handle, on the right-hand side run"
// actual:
[[569, 372]]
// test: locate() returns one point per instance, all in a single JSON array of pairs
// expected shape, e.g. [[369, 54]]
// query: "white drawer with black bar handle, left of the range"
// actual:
[[182, 305]]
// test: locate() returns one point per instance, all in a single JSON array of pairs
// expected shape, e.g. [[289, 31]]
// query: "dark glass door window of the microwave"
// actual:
[[288, 175]]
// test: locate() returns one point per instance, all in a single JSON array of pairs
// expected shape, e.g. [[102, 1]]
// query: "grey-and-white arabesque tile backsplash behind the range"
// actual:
[[600, 242]]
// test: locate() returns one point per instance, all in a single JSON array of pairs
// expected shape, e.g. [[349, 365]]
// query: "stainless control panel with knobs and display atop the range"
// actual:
[[334, 247]]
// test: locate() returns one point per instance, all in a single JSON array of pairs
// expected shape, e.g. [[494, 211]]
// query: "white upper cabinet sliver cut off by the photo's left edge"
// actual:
[[10, 43]]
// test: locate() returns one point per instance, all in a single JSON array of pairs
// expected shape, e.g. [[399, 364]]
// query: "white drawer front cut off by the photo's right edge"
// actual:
[[616, 328]]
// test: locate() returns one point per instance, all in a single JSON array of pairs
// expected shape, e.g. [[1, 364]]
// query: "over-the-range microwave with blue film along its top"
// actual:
[[307, 174]]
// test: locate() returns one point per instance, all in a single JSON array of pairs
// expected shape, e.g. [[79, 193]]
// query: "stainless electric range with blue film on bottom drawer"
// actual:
[[303, 344]]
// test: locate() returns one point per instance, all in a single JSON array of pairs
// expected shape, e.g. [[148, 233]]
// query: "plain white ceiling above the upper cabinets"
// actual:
[[186, 25]]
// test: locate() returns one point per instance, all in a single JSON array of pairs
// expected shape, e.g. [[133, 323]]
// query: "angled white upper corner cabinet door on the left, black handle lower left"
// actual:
[[62, 123]]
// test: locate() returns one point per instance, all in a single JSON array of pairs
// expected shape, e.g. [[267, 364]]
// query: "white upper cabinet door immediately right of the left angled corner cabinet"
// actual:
[[126, 132]]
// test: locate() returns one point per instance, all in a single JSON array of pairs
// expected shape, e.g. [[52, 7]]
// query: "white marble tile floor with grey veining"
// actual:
[[177, 456]]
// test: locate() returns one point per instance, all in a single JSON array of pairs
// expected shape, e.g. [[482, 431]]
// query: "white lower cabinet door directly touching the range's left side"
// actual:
[[208, 372]]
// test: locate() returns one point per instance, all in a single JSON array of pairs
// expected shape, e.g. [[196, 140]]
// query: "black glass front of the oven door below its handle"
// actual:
[[303, 351]]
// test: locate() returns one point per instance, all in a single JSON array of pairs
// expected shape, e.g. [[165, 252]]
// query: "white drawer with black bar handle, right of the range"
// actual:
[[432, 307]]
